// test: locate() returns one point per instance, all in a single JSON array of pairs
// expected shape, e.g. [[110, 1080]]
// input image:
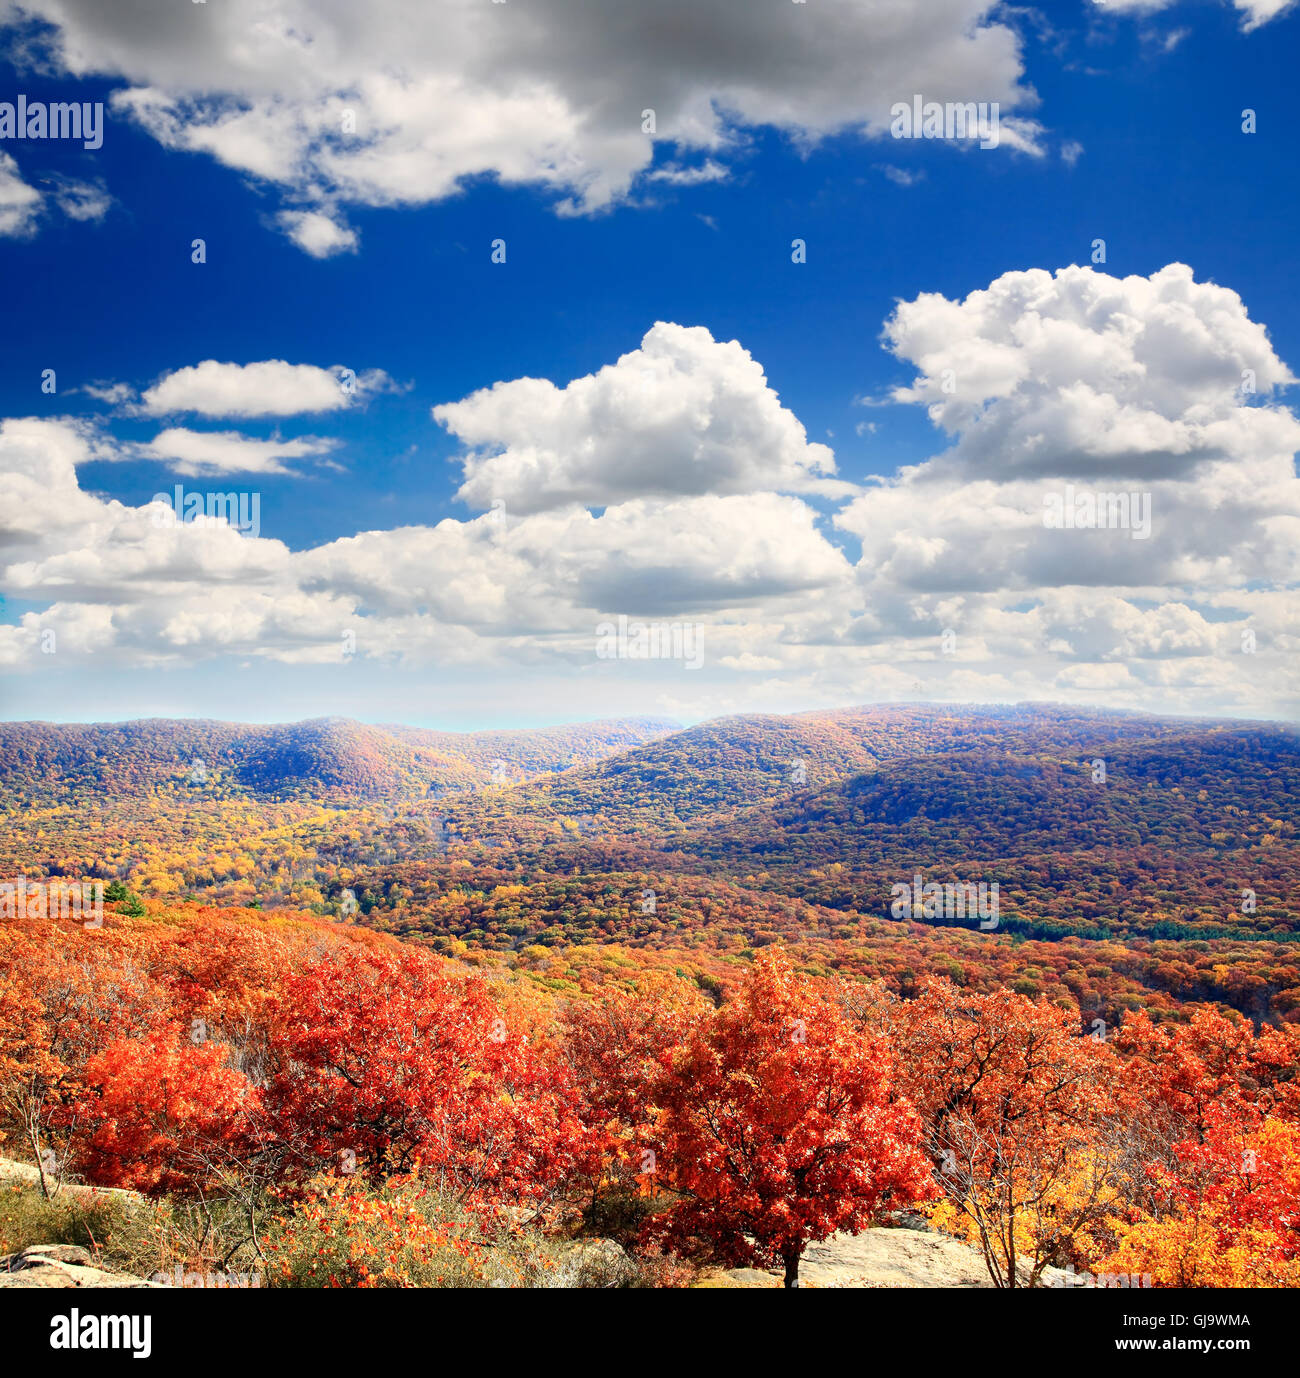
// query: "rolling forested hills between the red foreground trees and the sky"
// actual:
[[1172, 874]]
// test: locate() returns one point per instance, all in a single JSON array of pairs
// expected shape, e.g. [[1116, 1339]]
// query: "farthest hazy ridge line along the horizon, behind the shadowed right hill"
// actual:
[[633, 770]]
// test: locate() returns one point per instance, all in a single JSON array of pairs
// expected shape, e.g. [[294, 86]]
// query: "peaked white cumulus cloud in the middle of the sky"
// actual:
[[682, 415]]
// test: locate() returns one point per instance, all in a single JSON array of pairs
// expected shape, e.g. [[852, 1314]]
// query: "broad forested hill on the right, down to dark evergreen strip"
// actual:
[[1091, 822]]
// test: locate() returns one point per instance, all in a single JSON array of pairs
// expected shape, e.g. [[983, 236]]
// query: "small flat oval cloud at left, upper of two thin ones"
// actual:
[[267, 389]]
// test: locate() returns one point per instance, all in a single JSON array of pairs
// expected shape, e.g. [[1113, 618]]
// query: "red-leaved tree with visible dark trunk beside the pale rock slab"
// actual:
[[780, 1125]]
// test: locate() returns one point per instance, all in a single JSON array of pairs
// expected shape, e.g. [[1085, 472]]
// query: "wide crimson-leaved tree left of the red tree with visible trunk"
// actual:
[[396, 1066]]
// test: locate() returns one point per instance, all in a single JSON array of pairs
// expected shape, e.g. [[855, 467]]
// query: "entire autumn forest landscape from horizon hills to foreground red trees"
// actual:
[[576, 945]]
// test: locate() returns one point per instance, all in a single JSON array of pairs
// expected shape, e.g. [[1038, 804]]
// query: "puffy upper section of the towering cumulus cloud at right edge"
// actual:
[[1084, 374]]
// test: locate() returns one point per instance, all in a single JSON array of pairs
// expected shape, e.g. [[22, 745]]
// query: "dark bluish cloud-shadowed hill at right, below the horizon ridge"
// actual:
[[1051, 789]]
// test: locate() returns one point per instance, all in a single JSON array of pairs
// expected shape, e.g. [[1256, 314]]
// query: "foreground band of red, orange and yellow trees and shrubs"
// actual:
[[315, 1104]]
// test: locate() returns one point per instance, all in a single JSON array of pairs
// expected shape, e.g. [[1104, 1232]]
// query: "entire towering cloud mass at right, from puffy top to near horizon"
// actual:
[[1123, 400]]
